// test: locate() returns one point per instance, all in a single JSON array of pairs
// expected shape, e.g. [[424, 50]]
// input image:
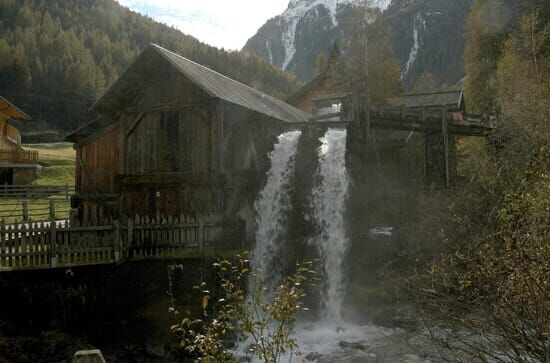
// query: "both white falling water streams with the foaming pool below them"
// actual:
[[330, 338]]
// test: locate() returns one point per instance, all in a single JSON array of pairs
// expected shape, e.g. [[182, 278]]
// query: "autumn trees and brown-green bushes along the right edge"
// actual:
[[491, 239]]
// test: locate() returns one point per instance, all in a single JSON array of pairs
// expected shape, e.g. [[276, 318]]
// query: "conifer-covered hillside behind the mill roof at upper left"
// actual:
[[58, 56]]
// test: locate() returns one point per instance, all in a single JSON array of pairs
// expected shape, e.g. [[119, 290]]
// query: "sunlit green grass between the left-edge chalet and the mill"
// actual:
[[60, 169]]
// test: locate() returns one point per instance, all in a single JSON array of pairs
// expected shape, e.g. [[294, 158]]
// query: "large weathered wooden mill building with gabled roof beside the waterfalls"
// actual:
[[176, 137]]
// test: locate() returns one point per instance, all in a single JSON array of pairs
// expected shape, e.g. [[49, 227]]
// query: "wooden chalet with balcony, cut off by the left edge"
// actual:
[[17, 166]]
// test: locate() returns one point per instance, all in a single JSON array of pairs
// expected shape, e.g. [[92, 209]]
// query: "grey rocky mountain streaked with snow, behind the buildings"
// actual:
[[427, 35]]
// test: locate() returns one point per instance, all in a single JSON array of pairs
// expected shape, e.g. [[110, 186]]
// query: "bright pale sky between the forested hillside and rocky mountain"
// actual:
[[222, 23]]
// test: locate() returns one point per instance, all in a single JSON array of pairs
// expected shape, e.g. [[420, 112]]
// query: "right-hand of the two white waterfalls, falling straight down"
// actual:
[[328, 204]]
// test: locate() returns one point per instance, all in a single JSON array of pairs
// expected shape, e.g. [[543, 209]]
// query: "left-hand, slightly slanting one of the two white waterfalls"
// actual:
[[272, 209]]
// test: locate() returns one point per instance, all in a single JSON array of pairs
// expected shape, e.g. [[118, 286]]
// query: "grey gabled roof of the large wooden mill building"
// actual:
[[213, 83]]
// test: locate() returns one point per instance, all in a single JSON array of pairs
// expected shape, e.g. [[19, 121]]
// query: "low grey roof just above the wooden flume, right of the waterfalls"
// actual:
[[450, 99]]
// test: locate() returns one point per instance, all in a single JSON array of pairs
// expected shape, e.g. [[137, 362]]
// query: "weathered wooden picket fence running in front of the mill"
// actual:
[[49, 245]]
